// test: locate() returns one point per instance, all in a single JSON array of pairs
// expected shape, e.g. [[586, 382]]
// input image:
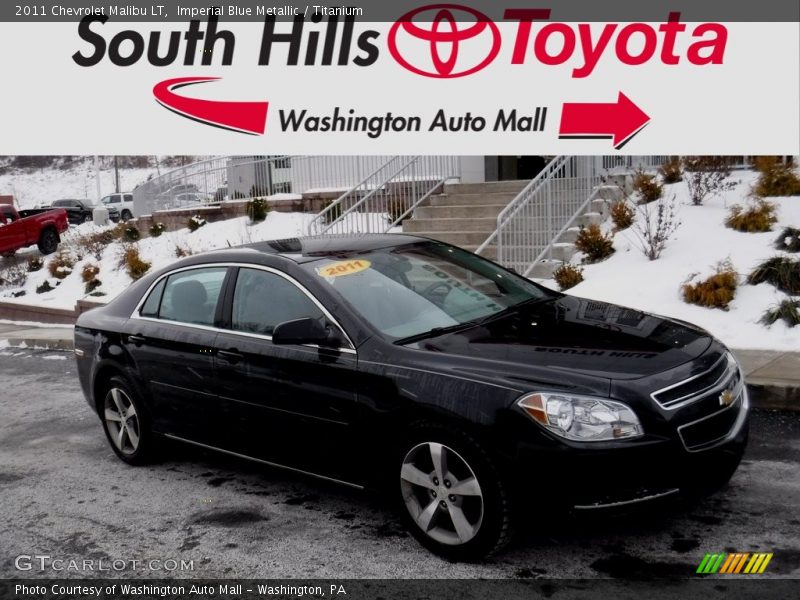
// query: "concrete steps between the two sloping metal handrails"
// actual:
[[464, 214]]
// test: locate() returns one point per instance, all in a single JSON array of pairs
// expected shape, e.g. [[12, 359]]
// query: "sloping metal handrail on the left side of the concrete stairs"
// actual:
[[389, 194]]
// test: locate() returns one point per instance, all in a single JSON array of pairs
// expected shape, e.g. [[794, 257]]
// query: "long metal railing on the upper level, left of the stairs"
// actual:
[[243, 177]]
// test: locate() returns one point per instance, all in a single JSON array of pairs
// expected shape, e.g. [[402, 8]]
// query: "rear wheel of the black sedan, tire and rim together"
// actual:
[[137, 445]]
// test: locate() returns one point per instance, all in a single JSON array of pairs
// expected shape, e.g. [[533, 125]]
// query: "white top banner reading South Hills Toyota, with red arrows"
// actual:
[[541, 76]]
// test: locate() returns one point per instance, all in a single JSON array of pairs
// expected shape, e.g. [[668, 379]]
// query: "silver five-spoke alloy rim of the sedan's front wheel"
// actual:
[[442, 493]]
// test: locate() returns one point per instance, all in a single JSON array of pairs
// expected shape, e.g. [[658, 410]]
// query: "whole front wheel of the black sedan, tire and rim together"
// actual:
[[490, 531]]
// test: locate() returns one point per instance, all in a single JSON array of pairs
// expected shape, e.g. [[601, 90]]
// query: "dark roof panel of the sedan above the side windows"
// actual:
[[311, 248]]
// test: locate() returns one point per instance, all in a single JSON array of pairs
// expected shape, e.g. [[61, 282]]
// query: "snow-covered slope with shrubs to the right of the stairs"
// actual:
[[630, 279]]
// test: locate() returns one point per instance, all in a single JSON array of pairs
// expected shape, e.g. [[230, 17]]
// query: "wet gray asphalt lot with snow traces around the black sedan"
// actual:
[[65, 495]]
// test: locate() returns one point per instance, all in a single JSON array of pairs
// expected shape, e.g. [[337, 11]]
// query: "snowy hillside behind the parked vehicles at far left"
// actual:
[[32, 187]]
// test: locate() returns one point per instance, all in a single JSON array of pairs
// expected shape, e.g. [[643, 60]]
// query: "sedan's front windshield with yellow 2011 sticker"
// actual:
[[411, 290]]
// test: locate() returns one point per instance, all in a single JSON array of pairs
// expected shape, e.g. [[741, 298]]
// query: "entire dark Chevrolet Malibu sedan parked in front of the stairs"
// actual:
[[470, 394]]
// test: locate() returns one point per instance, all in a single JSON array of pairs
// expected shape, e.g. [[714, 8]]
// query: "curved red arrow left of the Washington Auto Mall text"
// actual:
[[244, 117]]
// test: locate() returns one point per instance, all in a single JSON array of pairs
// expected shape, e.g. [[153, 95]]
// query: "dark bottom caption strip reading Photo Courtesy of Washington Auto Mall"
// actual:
[[400, 589]]
